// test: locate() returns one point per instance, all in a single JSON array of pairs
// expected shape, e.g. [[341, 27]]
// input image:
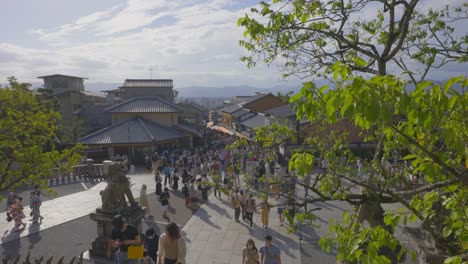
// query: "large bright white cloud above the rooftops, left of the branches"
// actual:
[[199, 46]]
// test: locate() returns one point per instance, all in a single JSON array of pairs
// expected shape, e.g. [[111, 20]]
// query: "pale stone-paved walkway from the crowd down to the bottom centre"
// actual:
[[214, 237]]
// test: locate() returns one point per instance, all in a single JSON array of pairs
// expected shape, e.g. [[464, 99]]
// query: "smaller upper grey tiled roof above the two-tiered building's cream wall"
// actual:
[[145, 105]]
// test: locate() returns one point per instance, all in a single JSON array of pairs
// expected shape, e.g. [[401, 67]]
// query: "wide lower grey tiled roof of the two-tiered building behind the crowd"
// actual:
[[132, 131]]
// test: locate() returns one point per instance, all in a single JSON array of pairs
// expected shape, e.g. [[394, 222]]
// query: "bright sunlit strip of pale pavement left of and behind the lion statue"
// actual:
[[67, 208]]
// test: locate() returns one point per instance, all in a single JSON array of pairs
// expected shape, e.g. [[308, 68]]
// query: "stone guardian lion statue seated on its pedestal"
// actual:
[[118, 186]]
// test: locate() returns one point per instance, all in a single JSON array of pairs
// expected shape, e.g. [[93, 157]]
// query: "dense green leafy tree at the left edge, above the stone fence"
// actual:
[[27, 131]]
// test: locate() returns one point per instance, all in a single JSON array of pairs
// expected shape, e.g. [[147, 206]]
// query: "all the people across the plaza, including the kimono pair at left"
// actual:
[[193, 173]]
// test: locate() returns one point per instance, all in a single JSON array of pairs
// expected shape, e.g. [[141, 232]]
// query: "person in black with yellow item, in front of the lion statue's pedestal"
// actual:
[[123, 235]]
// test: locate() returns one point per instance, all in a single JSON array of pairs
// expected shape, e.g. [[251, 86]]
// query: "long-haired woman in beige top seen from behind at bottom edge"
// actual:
[[172, 248]]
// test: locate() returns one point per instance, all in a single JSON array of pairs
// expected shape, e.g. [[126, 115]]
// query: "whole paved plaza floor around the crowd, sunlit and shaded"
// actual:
[[212, 235]]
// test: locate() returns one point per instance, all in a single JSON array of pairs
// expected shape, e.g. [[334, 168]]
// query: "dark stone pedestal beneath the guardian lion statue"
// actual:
[[132, 216]]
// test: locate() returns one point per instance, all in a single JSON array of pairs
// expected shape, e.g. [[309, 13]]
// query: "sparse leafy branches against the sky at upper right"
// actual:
[[308, 37]]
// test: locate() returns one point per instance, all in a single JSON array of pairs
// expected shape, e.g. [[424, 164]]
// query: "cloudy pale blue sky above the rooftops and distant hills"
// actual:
[[193, 42]]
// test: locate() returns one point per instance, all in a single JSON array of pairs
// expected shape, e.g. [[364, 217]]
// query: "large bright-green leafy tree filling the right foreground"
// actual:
[[426, 127]]
